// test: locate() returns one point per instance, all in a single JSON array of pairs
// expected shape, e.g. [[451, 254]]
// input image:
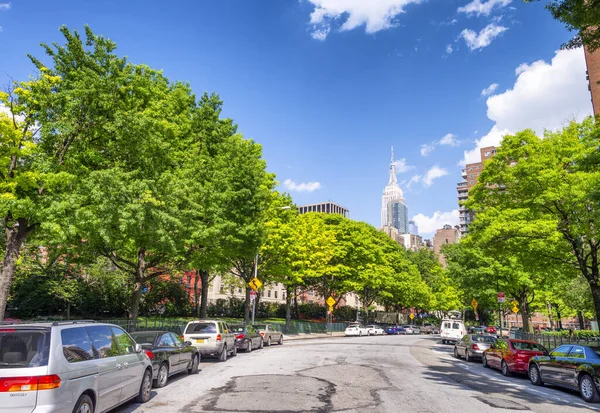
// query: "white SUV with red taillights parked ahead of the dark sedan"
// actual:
[[211, 338]]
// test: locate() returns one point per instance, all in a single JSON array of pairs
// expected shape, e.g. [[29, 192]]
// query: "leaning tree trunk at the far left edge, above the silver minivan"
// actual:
[[14, 237]]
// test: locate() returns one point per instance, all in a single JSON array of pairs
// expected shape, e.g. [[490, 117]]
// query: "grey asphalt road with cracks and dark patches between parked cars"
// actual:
[[367, 374]]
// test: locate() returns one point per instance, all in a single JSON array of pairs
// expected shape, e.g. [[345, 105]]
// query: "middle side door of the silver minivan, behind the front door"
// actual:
[[110, 373]]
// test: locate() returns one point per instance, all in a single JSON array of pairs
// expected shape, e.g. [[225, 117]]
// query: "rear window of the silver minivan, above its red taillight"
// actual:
[[24, 348]]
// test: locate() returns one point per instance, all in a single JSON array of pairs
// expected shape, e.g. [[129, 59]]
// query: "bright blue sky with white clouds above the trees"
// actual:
[[328, 86]]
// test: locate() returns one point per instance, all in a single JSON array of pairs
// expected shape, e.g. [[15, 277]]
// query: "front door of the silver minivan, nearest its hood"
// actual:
[[131, 362]]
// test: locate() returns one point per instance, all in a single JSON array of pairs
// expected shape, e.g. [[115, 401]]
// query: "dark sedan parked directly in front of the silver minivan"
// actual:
[[168, 353]]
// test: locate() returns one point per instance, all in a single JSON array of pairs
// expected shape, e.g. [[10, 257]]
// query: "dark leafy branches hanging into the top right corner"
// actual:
[[581, 16]]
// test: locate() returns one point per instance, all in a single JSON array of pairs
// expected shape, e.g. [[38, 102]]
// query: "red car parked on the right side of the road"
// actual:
[[512, 356]]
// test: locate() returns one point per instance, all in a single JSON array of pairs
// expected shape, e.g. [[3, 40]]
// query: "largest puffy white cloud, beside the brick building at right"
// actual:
[[544, 96]]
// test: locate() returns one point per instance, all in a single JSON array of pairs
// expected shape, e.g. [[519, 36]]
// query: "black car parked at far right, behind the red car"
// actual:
[[571, 366]]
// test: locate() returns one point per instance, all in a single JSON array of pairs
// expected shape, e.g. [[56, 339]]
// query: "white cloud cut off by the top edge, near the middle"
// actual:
[[374, 15]]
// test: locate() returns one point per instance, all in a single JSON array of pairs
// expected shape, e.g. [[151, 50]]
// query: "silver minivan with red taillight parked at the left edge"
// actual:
[[74, 366]]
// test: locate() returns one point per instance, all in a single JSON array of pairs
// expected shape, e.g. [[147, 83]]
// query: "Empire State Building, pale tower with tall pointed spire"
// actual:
[[394, 212]]
